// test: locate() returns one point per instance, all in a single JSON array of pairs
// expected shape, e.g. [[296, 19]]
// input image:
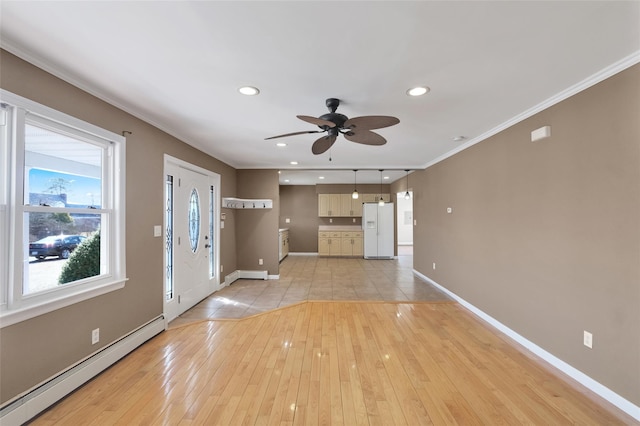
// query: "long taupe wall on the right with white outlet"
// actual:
[[545, 236]]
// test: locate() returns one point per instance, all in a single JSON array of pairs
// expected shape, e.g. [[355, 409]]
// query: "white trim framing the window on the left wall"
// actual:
[[31, 306]]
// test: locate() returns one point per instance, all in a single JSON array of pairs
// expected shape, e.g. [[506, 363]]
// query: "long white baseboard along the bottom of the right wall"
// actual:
[[603, 391]]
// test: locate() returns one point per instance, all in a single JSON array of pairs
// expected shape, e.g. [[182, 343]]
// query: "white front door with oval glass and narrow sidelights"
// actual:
[[190, 243]]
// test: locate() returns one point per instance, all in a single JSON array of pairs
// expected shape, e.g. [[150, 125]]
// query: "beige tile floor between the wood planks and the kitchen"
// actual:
[[309, 277]]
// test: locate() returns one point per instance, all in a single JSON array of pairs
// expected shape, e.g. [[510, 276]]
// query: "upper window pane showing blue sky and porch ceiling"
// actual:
[[61, 171]]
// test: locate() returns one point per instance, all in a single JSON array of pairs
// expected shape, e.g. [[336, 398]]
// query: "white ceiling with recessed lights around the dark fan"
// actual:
[[178, 65]]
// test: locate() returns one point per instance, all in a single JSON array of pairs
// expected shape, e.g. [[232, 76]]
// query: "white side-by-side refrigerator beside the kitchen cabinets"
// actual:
[[377, 224]]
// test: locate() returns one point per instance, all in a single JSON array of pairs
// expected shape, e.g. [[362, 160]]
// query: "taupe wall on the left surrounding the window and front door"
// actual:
[[34, 350]]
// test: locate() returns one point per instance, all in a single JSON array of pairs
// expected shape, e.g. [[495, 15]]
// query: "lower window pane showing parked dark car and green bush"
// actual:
[[63, 247]]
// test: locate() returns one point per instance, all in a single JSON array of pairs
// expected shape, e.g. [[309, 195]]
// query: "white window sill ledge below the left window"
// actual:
[[14, 316]]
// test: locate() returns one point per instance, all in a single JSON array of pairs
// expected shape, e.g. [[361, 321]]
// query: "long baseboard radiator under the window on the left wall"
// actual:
[[46, 394]]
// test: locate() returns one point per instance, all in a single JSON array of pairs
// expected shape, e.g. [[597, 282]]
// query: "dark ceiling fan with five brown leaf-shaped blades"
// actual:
[[357, 129]]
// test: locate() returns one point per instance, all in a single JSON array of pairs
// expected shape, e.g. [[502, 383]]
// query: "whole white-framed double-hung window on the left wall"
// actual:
[[61, 196]]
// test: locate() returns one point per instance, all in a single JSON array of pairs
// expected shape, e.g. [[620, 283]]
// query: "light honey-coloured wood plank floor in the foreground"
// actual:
[[332, 363]]
